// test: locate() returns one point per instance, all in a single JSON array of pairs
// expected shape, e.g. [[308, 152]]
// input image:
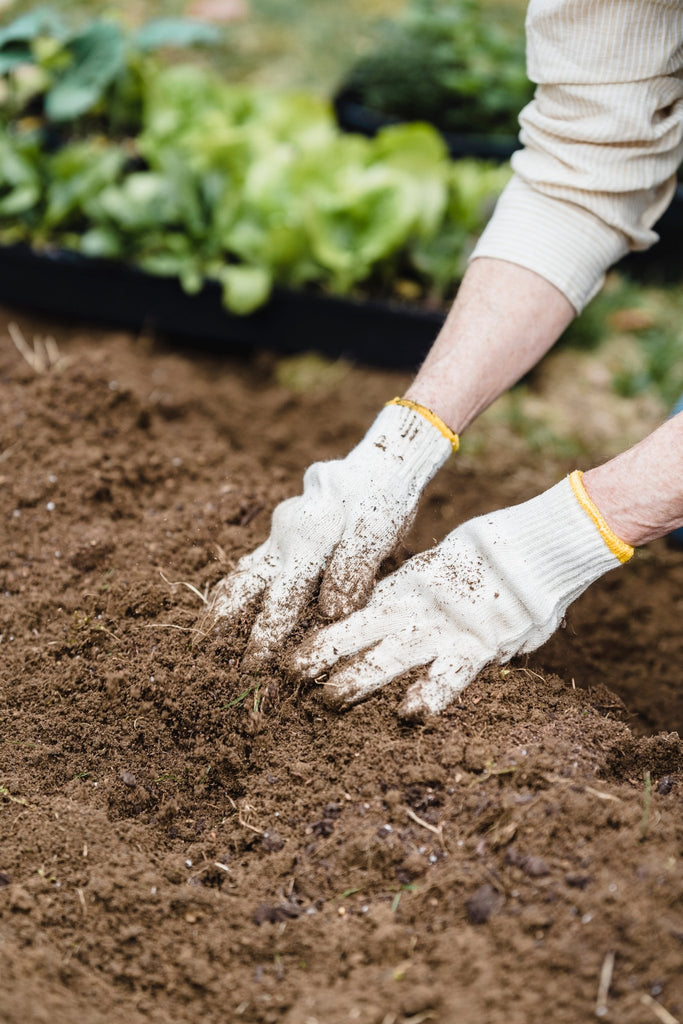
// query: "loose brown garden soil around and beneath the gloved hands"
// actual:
[[181, 843]]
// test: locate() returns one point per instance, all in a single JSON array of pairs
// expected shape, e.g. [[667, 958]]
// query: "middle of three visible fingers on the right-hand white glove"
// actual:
[[373, 669]]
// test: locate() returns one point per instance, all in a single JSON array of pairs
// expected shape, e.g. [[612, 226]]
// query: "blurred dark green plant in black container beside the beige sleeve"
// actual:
[[449, 62]]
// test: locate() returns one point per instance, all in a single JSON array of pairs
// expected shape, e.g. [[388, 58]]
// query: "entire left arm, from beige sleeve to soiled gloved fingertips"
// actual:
[[554, 233]]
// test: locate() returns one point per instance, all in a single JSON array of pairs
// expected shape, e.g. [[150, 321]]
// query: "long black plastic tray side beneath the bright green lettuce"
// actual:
[[111, 293]]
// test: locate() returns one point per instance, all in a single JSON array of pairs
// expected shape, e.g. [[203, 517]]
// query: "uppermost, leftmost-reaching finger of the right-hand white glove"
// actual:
[[361, 631]]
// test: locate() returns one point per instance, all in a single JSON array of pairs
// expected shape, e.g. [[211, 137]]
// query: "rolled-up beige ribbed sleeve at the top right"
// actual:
[[603, 139]]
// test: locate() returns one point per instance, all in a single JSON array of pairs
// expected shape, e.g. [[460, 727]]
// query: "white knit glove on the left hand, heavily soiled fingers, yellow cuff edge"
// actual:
[[351, 517]]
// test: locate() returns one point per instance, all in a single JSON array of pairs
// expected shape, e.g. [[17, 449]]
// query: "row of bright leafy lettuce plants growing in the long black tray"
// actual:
[[247, 187]]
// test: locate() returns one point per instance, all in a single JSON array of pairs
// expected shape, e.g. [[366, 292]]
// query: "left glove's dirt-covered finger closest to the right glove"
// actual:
[[351, 576]]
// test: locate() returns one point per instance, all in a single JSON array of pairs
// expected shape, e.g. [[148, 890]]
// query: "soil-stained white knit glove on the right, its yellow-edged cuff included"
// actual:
[[496, 587]]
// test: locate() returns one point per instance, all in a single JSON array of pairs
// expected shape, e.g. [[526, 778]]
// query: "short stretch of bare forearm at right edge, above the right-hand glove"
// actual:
[[641, 493]]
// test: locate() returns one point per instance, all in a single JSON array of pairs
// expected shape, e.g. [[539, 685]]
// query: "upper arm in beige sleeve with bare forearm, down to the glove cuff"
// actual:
[[603, 140]]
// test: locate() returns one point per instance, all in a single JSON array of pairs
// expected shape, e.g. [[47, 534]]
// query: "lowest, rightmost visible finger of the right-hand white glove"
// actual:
[[444, 681]]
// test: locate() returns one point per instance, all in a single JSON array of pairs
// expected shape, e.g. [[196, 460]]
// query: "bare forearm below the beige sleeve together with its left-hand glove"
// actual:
[[354, 511]]
